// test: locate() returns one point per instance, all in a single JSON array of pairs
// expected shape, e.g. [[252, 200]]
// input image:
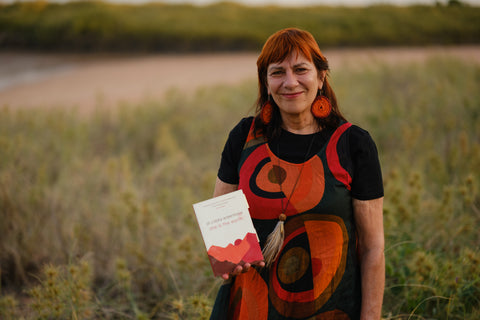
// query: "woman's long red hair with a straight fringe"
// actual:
[[277, 48]]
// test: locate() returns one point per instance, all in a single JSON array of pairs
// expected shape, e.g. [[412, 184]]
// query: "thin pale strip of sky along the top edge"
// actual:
[[287, 2]]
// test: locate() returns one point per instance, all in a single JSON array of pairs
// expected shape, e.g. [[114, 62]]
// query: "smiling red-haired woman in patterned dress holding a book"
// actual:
[[314, 186]]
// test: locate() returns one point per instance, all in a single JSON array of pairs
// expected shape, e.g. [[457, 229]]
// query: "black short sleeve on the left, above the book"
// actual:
[[232, 151]]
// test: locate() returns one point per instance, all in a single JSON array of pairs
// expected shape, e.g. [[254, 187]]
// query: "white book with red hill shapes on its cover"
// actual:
[[228, 232]]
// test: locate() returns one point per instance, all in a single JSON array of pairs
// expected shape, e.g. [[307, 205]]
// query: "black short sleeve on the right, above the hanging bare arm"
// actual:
[[364, 165]]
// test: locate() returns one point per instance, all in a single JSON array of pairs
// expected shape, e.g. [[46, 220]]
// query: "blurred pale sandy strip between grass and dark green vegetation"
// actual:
[[99, 81]]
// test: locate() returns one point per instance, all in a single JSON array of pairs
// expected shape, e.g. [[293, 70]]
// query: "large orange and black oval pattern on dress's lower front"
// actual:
[[327, 242]]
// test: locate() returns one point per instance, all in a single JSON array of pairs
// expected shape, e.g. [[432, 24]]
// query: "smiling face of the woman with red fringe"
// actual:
[[293, 84]]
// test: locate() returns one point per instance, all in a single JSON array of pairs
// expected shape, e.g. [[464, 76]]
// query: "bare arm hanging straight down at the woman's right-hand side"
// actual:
[[371, 243]]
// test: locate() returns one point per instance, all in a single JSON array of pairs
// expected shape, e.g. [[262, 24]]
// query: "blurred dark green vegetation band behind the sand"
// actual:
[[96, 26]]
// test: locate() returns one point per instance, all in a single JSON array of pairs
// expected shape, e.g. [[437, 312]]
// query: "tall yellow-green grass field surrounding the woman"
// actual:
[[96, 211]]
